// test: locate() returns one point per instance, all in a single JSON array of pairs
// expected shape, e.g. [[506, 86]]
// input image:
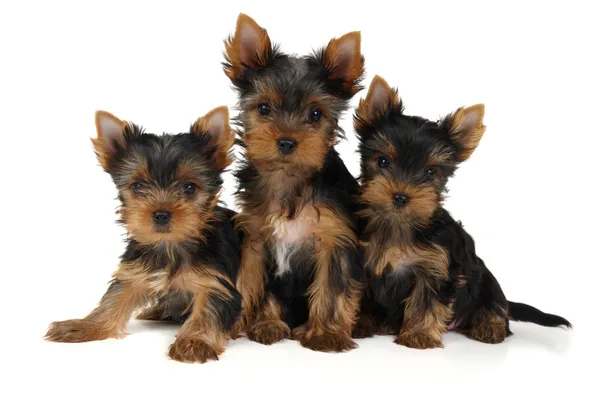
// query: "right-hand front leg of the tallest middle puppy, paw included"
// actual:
[[334, 298]]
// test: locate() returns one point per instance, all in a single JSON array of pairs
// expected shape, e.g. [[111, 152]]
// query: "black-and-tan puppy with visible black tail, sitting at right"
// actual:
[[423, 274]]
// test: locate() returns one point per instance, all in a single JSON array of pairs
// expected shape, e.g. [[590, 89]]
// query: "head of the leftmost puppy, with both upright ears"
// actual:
[[168, 184]]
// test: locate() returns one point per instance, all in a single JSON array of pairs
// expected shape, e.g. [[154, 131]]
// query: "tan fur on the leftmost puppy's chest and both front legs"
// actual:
[[134, 287]]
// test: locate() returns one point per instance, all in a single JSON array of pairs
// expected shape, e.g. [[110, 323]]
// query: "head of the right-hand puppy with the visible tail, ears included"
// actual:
[[406, 160]]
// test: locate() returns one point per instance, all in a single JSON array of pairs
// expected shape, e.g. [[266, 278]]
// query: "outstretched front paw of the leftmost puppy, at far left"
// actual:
[[77, 331]]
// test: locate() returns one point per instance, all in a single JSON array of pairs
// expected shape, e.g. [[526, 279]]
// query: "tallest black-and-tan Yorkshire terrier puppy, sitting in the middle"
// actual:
[[300, 266]]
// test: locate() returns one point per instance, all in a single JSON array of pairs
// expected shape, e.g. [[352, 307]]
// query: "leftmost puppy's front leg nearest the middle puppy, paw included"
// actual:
[[216, 308]]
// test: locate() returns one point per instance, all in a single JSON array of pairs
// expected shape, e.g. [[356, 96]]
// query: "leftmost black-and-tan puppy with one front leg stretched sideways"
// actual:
[[182, 252]]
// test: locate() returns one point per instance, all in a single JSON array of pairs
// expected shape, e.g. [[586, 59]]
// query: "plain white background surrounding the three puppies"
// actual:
[[526, 195]]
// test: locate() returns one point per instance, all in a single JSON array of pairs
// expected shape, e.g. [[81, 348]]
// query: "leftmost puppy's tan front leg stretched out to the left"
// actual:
[[106, 321]]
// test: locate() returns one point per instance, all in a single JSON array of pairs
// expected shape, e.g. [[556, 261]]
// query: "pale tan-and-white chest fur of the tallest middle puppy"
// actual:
[[291, 240]]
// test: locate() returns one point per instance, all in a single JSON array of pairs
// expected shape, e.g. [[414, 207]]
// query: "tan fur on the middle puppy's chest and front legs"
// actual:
[[331, 317]]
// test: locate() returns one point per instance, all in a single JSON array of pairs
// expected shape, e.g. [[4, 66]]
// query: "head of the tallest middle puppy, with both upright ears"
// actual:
[[290, 105]]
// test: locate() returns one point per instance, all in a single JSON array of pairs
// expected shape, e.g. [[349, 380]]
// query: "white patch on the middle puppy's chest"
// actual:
[[289, 236]]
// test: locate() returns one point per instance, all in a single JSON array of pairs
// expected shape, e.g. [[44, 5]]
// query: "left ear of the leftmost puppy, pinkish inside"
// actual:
[[111, 132]]
